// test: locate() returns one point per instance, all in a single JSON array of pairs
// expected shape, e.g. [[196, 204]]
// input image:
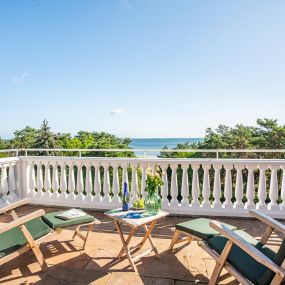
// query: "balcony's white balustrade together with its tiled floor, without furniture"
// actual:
[[222, 188]]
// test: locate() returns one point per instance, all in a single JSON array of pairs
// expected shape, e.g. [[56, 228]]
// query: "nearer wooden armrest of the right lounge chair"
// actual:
[[247, 247]]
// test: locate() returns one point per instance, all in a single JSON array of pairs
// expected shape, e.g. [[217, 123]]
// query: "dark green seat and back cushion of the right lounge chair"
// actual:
[[241, 261]]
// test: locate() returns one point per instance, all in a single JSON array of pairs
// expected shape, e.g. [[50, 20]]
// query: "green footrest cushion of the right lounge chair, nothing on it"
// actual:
[[200, 228]]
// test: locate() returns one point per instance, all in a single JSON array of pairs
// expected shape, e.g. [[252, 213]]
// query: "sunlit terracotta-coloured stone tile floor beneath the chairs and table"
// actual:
[[68, 264]]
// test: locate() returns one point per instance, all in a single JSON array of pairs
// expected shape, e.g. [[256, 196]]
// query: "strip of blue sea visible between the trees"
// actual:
[[159, 143]]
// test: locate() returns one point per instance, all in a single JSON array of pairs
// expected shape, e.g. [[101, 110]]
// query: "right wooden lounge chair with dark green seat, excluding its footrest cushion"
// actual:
[[248, 260]]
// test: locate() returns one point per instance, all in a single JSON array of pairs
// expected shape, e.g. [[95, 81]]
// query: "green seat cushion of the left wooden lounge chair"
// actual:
[[14, 239]]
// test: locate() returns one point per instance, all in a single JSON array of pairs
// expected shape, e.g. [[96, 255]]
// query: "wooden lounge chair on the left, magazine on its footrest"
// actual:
[[27, 232]]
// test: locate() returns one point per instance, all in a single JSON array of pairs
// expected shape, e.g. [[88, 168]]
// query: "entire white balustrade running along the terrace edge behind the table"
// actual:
[[85, 182]]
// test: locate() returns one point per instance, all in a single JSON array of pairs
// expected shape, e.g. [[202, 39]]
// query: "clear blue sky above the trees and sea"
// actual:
[[141, 68]]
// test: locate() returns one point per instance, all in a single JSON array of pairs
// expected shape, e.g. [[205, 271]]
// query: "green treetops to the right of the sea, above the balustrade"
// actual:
[[267, 134]]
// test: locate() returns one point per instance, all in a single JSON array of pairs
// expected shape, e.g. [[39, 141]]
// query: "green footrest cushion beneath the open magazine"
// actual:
[[54, 222]]
